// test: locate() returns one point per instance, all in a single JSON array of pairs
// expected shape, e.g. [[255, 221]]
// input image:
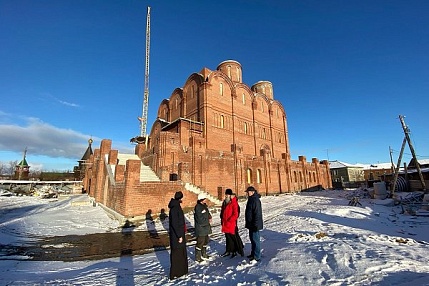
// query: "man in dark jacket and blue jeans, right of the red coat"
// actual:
[[253, 221]]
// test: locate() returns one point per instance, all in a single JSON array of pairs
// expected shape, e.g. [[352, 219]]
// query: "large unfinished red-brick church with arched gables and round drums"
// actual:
[[213, 133]]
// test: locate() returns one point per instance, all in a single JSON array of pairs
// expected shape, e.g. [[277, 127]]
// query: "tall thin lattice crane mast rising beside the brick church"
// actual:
[[143, 119]]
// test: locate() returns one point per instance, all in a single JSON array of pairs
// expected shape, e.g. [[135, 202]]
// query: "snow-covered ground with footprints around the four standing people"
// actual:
[[308, 239]]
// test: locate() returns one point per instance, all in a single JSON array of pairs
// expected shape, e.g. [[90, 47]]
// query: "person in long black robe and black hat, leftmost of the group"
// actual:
[[177, 229]]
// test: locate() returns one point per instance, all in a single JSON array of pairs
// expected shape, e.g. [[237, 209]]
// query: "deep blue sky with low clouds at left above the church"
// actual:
[[343, 70]]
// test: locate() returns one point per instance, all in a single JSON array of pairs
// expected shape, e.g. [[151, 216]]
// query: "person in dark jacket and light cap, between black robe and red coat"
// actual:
[[203, 228]]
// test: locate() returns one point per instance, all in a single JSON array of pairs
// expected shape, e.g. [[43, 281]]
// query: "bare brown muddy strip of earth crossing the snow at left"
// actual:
[[90, 246]]
